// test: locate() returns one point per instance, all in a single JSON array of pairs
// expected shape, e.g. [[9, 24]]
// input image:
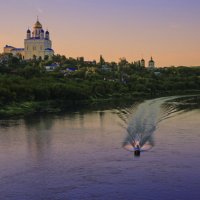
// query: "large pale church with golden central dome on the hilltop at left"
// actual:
[[37, 44]]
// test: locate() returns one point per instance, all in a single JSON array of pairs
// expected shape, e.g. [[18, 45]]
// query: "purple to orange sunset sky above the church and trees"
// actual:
[[167, 30]]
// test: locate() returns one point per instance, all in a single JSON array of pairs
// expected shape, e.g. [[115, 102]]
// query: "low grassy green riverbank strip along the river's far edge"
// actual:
[[28, 108]]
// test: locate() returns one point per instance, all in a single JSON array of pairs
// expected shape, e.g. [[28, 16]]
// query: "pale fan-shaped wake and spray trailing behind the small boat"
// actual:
[[142, 120]]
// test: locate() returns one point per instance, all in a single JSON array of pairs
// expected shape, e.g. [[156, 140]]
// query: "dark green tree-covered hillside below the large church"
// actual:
[[22, 81]]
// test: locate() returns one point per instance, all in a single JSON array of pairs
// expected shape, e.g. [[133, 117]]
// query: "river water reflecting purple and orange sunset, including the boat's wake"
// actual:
[[81, 155]]
